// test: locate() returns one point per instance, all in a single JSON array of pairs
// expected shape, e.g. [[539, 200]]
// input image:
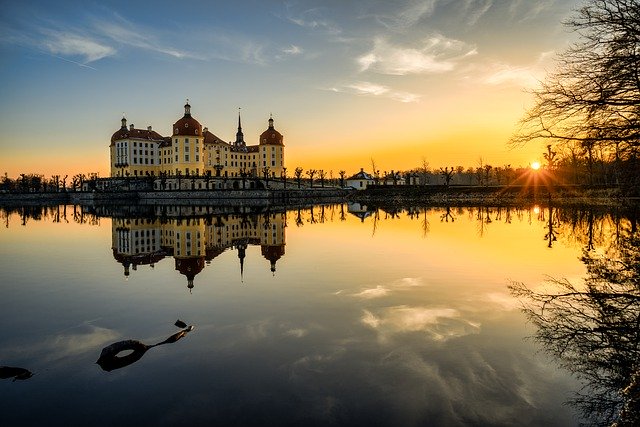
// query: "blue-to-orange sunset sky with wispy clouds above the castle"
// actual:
[[398, 82]]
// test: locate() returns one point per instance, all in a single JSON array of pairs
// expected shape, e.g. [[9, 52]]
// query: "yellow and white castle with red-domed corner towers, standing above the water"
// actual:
[[194, 151]]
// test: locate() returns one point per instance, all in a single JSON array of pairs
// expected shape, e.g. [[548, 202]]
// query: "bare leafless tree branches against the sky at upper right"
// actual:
[[592, 101]]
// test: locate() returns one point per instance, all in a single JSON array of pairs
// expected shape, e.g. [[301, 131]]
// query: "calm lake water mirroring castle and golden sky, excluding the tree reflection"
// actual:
[[334, 315]]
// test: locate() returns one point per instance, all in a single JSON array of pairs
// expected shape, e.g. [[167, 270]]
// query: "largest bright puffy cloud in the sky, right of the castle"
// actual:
[[437, 54]]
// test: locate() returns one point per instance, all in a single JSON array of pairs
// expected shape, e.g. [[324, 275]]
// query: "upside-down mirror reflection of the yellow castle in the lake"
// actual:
[[194, 241]]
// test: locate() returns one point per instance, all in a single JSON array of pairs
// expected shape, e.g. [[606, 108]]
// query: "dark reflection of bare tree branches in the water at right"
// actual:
[[593, 329]]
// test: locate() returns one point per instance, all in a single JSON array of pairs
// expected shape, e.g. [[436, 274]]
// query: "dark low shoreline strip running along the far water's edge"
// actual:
[[383, 195]]
